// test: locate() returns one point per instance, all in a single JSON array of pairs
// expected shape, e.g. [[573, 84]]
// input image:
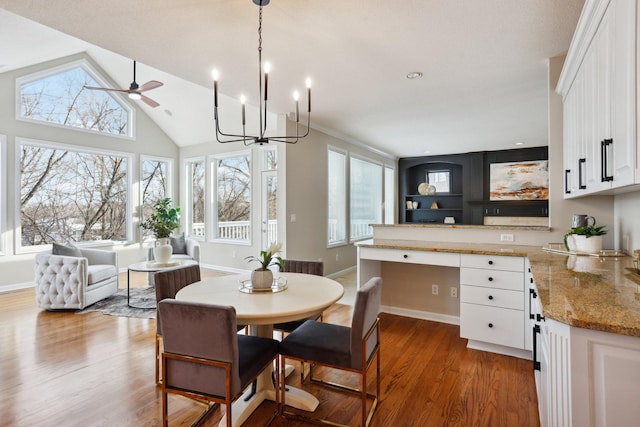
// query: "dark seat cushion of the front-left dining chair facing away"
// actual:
[[254, 354]]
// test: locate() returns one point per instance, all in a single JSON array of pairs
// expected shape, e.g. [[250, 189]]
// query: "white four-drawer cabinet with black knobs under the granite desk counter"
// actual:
[[492, 301]]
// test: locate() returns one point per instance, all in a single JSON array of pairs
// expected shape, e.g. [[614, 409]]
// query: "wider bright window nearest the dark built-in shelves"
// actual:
[[365, 197]]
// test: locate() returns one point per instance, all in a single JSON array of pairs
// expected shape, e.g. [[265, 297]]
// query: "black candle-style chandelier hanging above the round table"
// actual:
[[263, 86]]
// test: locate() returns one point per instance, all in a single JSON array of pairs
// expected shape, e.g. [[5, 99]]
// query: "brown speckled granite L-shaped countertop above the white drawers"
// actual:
[[599, 293]]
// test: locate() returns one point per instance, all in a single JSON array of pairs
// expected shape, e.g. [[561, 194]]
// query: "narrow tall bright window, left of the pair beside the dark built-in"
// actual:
[[337, 197]]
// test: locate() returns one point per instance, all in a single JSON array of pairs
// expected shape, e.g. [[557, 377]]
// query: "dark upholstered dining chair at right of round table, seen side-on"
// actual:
[[347, 348]]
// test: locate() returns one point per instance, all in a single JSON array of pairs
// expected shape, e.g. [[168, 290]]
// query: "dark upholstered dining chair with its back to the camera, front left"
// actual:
[[209, 363]]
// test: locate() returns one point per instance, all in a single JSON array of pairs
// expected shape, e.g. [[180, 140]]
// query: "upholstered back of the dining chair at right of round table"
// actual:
[[365, 313]]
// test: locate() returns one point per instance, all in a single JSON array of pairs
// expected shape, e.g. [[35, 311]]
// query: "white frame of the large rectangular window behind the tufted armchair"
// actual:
[[19, 249]]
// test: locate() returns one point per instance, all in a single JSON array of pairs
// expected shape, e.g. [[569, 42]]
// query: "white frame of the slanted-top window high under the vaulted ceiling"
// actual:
[[102, 82]]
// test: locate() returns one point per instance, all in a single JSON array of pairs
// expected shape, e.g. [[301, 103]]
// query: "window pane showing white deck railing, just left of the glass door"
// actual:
[[232, 175]]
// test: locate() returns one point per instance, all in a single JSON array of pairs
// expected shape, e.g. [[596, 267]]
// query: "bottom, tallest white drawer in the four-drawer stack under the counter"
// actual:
[[495, 325]]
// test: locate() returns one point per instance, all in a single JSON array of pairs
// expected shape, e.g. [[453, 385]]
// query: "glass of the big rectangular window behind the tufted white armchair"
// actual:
[[68, 194]]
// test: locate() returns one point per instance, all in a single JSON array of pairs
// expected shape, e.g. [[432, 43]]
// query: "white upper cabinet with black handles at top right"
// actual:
[[598, 84]]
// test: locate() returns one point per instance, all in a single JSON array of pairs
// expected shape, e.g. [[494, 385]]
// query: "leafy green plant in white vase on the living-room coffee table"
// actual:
[[162, 222]]
